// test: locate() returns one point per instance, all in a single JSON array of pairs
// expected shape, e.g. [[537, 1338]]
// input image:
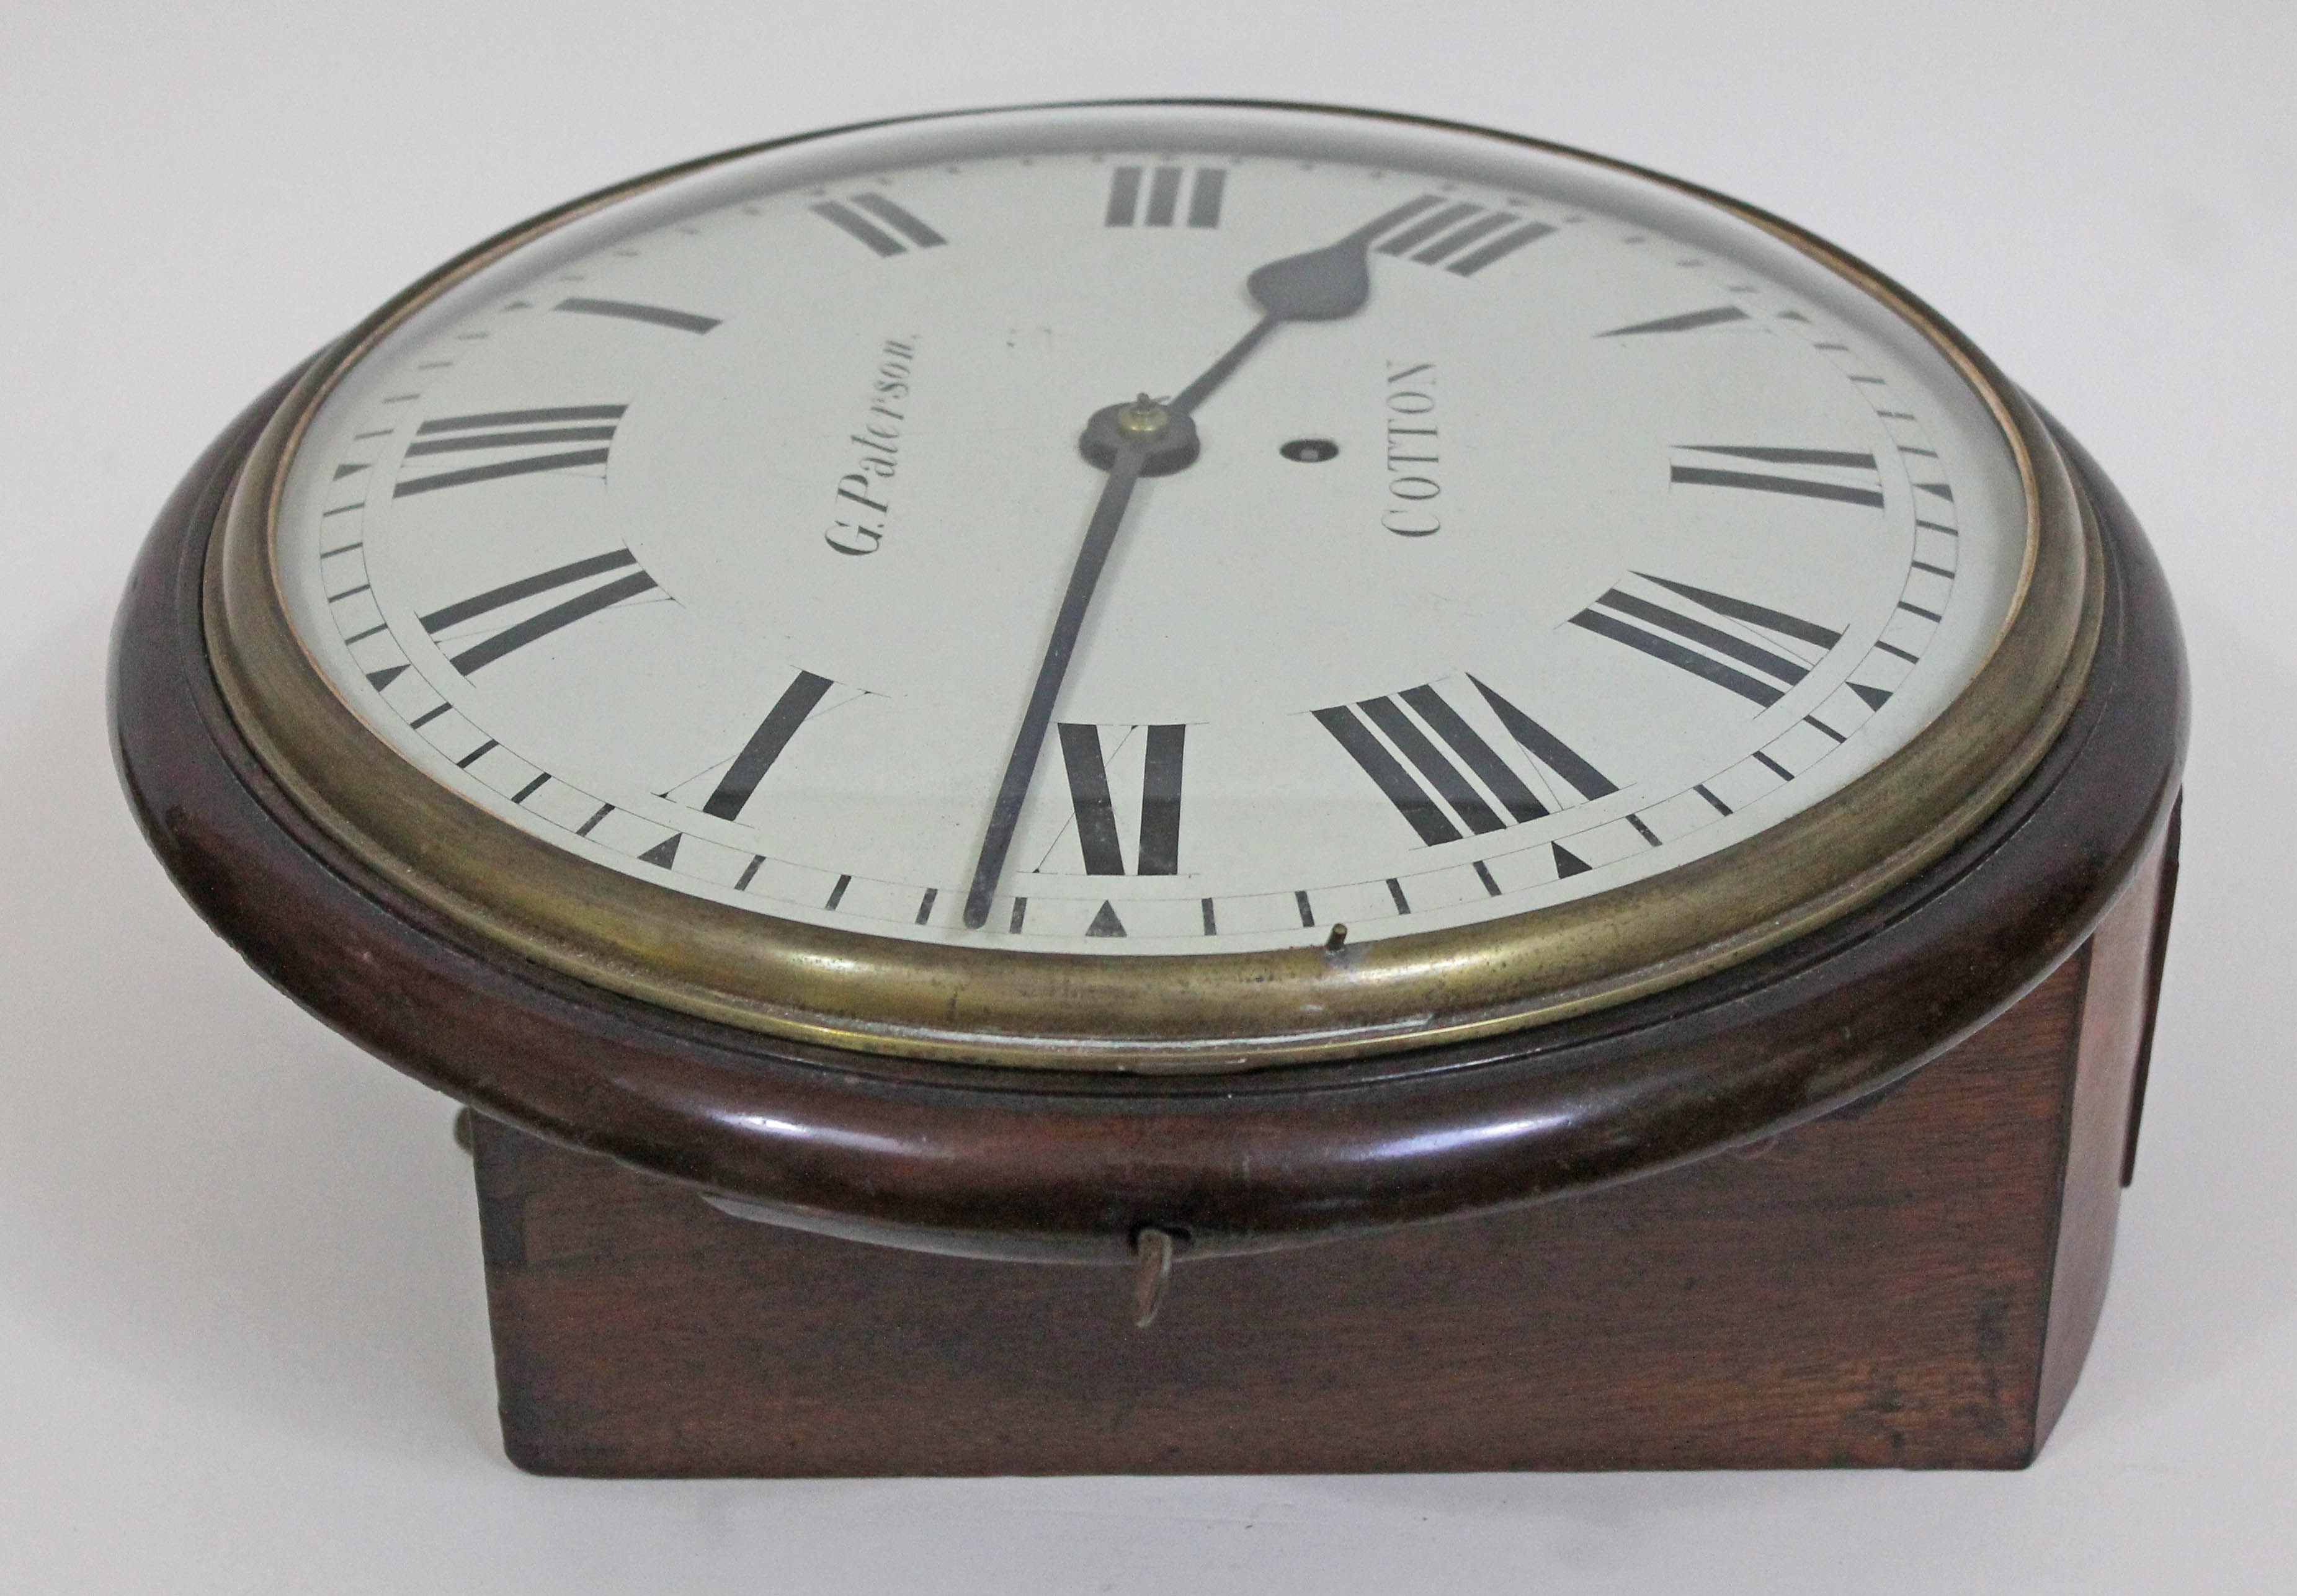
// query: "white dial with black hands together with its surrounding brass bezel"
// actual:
[[1152, 587]]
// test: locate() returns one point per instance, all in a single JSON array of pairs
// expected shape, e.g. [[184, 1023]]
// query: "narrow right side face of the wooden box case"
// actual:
[[2117, 1023]]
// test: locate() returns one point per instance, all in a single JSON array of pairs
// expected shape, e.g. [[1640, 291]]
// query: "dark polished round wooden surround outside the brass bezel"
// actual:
[[1033, 1165]]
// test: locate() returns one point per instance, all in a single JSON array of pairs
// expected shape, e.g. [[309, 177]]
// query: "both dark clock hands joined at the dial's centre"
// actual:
[[1154, 440]]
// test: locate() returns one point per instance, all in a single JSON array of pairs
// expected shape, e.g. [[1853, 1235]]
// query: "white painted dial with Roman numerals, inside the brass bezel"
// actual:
[[718, 536]]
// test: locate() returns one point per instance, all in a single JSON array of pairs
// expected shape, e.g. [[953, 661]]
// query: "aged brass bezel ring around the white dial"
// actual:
[[1166, 1014]]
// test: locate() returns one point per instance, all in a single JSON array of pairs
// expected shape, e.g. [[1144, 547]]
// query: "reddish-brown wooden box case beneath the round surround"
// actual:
[[1910, 1283]]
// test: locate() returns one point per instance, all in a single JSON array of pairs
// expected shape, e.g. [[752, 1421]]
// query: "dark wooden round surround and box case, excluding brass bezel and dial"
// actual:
[[1848, 1202]]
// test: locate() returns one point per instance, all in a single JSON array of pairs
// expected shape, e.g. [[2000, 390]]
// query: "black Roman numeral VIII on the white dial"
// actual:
[[1439, 796]]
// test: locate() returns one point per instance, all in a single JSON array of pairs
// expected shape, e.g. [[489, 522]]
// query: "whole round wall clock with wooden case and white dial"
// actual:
[[1536, 800]]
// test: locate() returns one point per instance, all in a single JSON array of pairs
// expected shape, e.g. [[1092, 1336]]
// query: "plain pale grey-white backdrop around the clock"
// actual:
[[242, 1331]]
